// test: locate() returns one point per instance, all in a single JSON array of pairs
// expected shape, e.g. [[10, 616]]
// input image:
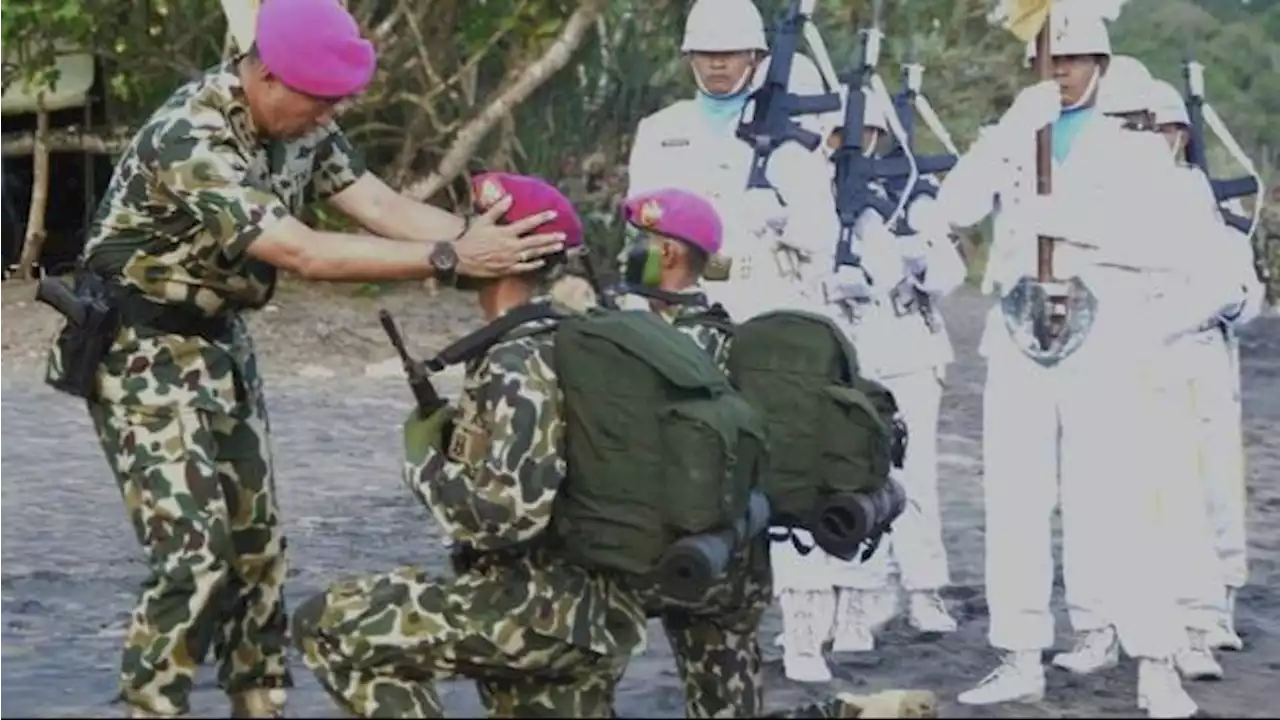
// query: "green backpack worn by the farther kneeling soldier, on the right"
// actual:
[[834, 436]]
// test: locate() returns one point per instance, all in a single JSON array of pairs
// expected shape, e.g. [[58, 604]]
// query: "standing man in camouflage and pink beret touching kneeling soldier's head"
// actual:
[[196, 222]]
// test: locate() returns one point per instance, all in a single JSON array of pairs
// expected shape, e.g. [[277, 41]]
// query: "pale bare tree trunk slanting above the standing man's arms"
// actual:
[[527, 84]]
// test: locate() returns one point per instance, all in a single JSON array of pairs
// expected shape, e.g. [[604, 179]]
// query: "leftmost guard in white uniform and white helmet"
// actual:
[[776, 240]]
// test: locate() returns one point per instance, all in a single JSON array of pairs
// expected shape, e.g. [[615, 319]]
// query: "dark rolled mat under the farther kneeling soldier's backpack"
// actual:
[[844, 522]]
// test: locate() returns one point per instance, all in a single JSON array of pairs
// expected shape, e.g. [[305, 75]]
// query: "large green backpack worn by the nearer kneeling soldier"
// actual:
[[665, 458]]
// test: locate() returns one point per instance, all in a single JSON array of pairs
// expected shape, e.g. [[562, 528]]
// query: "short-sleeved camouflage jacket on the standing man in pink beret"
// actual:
[[194, 190]]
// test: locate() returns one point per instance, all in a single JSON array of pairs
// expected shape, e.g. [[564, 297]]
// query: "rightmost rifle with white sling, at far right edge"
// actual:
[[1197, 156]]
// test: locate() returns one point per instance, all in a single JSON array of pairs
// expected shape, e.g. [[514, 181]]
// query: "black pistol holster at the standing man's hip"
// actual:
[[93, 323]]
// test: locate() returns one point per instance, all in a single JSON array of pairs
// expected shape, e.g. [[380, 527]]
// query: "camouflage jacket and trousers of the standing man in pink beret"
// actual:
[[181, 418]]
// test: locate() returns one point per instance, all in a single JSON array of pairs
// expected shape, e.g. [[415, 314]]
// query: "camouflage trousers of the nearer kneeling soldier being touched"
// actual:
[[378, 645]]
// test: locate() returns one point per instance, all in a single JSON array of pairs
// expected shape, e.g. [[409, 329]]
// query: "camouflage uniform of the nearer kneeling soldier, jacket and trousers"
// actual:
[[541, 637]]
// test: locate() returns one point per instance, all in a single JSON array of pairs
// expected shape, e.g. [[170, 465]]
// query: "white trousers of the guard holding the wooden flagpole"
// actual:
[[1062, 435]]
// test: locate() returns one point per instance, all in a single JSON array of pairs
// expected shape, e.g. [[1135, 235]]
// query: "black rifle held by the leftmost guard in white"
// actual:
[[769, 119]]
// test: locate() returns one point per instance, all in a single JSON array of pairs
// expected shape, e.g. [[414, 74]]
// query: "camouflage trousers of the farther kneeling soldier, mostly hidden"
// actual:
[[717, 640]]
